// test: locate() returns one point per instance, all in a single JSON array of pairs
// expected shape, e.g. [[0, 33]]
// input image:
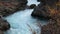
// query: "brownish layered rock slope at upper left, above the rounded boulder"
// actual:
[[8, 7]]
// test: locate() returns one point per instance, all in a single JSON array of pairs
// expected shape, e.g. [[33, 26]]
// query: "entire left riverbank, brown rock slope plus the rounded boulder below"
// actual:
[[8, 7]]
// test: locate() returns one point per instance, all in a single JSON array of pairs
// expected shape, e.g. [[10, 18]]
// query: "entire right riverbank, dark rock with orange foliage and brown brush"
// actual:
[[49, 10]]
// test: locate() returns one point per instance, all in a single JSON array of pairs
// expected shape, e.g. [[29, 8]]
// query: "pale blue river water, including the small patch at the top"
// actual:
[[22, 23]]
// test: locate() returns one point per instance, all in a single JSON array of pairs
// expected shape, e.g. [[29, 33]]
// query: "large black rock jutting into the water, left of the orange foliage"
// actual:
[[41, 13]]
